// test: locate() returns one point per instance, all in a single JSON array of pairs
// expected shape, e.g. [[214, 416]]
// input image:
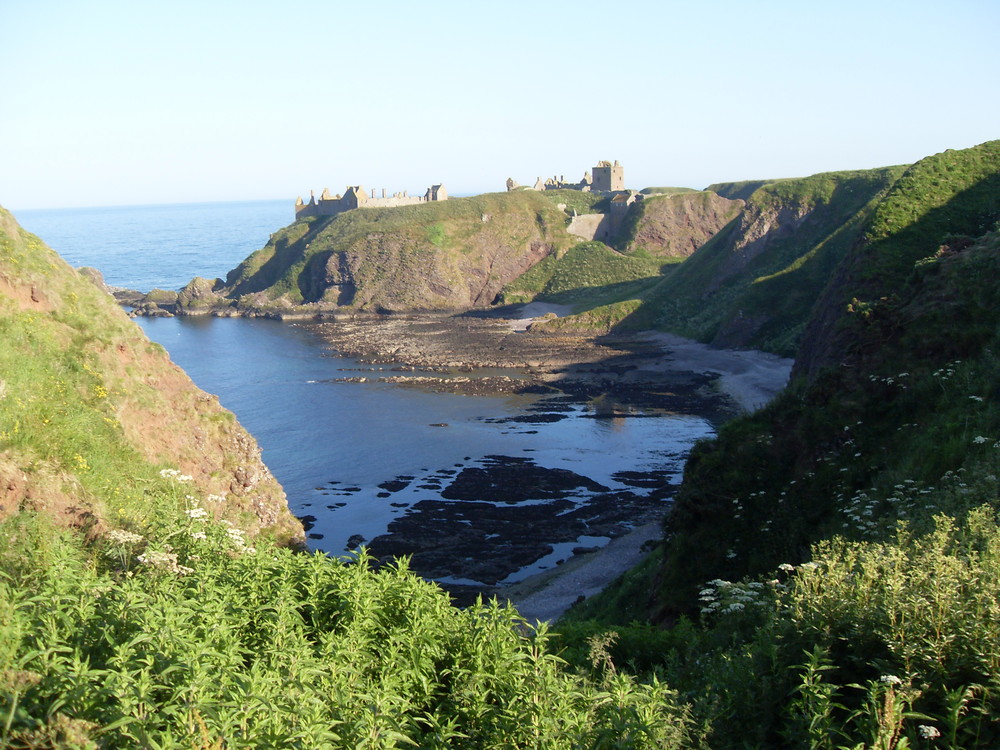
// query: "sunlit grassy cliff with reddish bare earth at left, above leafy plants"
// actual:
[[96, 424]]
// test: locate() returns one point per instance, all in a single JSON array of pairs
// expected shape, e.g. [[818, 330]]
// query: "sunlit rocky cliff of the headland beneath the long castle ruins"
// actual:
[[455, 254]]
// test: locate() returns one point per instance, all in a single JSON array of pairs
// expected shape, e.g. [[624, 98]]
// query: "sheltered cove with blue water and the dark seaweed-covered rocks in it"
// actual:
[[479, 489]]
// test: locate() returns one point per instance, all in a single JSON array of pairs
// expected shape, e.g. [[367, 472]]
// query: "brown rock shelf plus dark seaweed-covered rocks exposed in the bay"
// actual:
[[494, 519]]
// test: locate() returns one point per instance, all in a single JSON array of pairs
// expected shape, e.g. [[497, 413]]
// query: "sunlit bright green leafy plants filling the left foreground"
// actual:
[[194, 635]]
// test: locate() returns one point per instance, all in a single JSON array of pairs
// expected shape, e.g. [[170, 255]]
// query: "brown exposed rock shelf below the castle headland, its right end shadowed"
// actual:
[[498, 352]]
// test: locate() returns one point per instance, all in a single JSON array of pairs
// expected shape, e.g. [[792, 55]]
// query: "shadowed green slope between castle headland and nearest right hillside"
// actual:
[[754, 284]]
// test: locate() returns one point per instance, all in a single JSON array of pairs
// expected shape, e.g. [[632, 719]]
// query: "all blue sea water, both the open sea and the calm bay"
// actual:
[[352, 456]]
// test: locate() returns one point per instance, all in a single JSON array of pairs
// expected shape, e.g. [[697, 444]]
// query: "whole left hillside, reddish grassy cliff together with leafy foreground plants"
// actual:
[[134, 613]]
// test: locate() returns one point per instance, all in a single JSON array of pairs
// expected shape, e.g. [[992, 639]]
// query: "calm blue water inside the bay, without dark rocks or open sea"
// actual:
[[331, 444]]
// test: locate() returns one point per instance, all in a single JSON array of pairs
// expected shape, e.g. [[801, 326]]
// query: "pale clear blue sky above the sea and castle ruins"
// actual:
[[108, 103]]
